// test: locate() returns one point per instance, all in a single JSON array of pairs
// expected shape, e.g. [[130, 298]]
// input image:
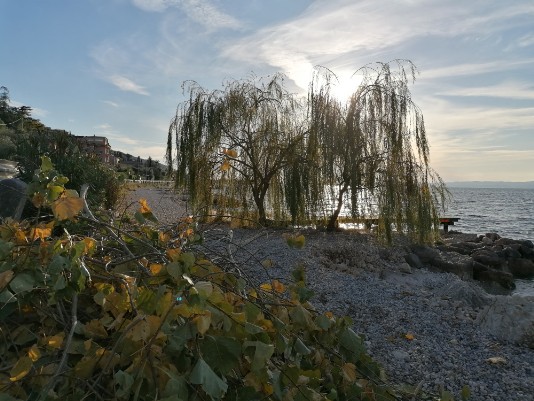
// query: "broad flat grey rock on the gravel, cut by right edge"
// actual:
[[510, 319]]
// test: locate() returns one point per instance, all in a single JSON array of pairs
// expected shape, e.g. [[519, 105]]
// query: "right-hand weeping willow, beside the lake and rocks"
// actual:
[[372, 152]]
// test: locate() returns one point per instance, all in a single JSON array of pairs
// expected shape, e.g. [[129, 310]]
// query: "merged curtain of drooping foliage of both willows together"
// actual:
[[253, 149]]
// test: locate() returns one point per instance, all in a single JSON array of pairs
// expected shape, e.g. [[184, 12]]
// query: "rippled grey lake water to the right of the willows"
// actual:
[[507, 212]]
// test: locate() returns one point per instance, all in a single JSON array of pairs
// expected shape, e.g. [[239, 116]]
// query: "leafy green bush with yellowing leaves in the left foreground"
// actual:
[[136, 315]]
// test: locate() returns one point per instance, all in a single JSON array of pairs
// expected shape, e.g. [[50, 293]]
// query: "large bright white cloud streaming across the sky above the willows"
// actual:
[[343, 34]]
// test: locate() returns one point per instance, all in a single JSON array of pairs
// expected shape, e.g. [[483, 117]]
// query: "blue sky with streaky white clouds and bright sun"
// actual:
[[115, 68]]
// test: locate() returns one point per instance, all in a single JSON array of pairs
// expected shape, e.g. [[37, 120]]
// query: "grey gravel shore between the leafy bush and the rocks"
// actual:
[[419, 324]]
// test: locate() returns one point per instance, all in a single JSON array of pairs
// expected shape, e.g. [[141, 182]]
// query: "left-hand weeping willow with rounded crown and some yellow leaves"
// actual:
[[232, 145]]
